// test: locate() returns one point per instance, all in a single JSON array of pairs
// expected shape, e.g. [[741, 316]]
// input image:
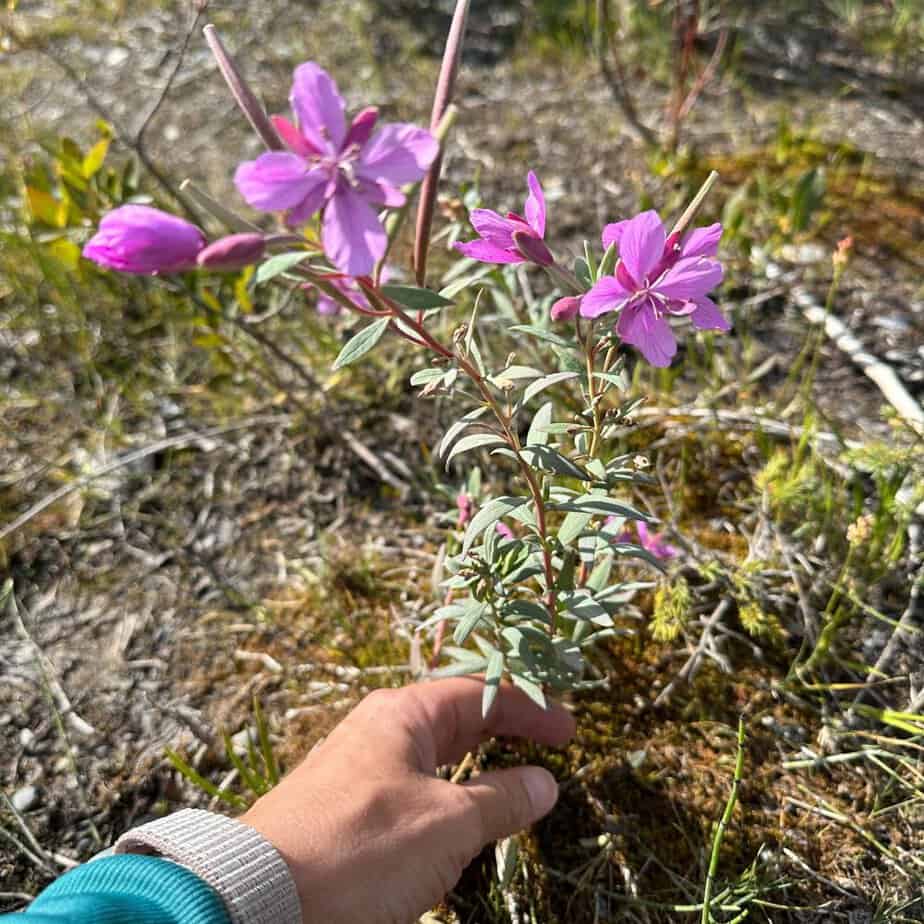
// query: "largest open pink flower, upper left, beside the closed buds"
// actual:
[[343, 170]]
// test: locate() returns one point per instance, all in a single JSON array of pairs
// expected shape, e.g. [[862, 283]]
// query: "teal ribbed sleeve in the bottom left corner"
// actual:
[[125, 889]]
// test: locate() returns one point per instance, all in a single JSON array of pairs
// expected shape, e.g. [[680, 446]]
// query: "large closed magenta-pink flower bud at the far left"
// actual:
[[144, 241]]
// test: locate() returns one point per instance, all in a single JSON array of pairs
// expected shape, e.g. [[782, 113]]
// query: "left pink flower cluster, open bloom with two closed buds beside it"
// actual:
[[330, 168]]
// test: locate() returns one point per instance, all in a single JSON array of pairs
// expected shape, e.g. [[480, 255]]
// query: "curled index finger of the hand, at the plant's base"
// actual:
[[447, 721]]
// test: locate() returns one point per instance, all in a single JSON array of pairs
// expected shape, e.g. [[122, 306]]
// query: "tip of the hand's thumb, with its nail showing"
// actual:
[[511, 800]]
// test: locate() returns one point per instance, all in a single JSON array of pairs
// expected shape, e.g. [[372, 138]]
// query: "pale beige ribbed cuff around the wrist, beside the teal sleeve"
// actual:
[[245, 870]]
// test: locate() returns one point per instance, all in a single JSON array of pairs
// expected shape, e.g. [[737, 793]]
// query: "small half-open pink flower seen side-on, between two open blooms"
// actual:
[[513, 239]]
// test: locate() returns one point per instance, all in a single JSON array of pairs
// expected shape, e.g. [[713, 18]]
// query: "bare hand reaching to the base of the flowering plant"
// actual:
[[370, 833]]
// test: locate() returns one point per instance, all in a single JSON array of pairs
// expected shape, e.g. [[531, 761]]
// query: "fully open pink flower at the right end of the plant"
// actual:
[[658, 277]]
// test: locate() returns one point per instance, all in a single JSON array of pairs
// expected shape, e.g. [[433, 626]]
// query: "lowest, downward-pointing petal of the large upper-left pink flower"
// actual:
[[354, 239]]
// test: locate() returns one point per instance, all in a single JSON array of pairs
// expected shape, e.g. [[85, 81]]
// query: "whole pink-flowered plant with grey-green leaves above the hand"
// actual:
[[530, 574]]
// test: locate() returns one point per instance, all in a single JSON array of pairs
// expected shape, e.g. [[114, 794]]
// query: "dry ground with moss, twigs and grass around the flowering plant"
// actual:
[[278, 534]]
